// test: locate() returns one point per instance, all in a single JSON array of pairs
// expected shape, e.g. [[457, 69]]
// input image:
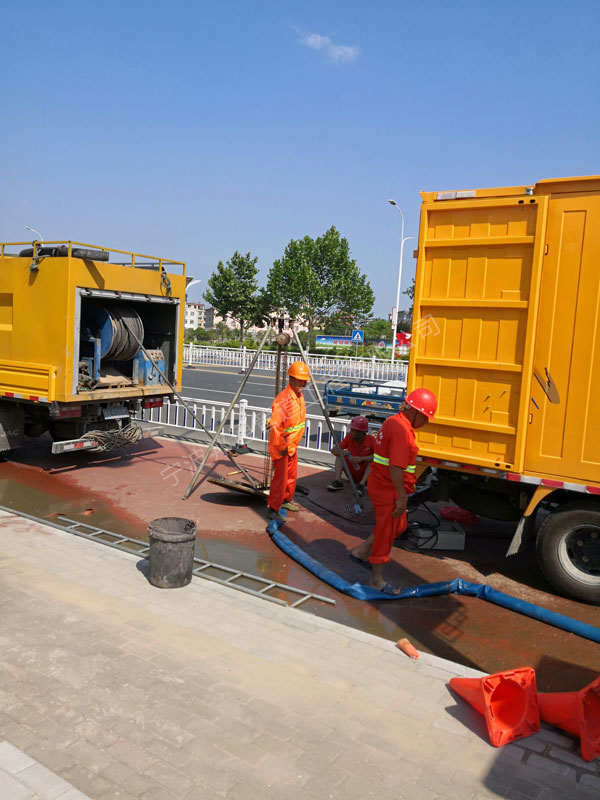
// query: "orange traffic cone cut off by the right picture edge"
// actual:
[[578, 713]]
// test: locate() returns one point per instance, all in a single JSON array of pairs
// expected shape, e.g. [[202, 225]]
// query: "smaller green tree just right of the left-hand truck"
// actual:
[[233, 291]]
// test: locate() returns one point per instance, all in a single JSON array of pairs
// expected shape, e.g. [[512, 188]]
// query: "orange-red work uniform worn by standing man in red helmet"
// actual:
[[395, 446]]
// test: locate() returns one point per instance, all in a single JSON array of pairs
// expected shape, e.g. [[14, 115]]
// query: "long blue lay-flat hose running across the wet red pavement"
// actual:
[[456, 586]]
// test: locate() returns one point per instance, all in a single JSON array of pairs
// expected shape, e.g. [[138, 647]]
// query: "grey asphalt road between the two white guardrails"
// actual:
[[221, 383]]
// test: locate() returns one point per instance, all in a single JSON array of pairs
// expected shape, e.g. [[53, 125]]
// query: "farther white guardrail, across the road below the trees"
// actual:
[[373, 368]]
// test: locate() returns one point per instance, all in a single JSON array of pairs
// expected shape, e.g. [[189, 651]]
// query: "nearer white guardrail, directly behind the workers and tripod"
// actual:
[[246, 423]]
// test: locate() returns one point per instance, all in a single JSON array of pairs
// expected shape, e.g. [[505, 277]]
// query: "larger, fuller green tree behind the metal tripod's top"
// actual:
[[317, 278]]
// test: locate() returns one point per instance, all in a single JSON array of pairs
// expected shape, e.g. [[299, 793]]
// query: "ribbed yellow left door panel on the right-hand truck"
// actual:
[[476, 295]]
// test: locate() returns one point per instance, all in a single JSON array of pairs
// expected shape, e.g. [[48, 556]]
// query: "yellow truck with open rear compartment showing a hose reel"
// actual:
[[87, 337]]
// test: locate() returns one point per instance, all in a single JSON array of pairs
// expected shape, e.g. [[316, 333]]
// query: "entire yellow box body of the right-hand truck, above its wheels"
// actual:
[[506, 329]]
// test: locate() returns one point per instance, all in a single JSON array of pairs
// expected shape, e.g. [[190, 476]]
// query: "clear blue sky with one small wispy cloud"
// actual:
[[193, 129]]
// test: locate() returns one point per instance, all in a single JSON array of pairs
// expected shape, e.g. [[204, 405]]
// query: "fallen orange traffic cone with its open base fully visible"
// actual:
[[507, 700]]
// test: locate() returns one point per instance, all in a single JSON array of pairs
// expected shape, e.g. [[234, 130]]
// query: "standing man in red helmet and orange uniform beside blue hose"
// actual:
[[391, 479]]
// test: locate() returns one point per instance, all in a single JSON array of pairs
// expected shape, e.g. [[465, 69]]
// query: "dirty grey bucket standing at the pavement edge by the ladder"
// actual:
[[172, 541]]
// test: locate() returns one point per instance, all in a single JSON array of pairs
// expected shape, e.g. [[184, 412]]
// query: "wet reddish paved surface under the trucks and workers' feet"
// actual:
[[124, 491]]
